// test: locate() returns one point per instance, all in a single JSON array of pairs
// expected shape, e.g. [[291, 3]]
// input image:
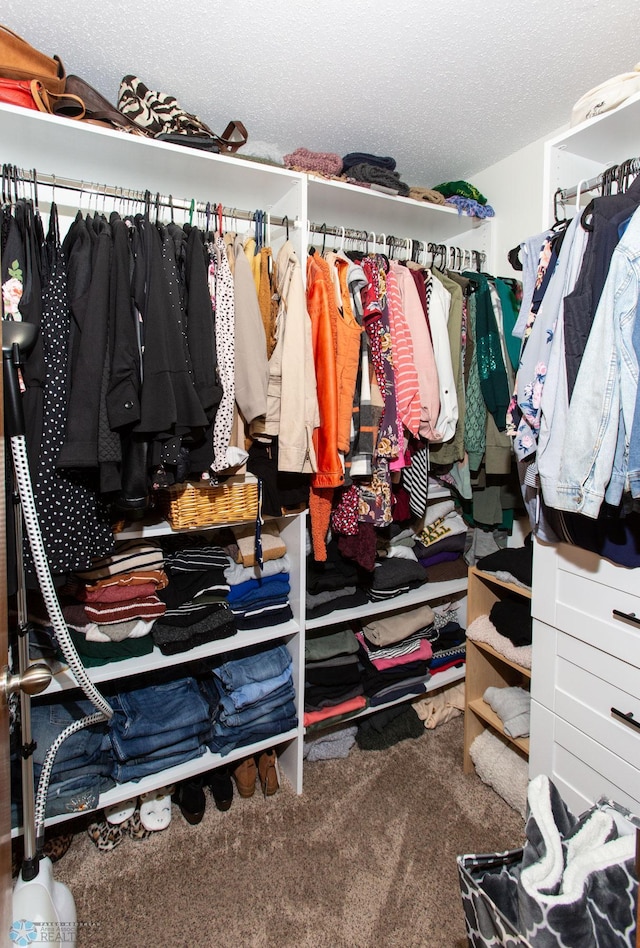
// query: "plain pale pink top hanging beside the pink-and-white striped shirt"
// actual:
[[424, 357]]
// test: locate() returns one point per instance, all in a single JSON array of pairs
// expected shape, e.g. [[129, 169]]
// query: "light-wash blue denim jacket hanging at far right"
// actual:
[[605, 391]]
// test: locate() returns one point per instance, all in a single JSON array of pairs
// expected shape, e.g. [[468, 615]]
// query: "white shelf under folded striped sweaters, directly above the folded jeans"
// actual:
[[63, 680]]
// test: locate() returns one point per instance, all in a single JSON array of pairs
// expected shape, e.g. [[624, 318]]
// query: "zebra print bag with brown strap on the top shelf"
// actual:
[[160, 114]]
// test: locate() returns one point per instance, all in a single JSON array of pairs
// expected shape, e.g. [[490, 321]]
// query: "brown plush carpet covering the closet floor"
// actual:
[[365, 857]]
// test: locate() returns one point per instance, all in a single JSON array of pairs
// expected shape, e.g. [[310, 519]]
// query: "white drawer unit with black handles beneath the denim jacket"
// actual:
[[585, 719]]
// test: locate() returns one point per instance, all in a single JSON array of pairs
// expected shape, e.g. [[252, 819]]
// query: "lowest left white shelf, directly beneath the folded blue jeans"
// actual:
[[165, 778]]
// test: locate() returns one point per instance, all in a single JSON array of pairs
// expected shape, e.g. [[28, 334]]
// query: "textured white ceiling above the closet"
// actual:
[[447, 87]]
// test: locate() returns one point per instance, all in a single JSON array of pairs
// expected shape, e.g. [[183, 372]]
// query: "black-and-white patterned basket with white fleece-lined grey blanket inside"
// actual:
[[573, 884]]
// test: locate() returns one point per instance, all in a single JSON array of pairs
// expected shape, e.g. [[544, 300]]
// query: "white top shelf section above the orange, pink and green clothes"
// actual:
[[338, 203]]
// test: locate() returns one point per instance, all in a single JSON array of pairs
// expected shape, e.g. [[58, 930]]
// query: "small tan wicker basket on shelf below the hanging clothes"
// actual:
[[200, 505]]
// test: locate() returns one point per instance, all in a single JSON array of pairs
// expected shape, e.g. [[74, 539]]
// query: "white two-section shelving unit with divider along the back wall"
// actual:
[[97, 157]]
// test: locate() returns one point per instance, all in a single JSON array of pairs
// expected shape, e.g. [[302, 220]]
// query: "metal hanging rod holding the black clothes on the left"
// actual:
[[31, 177]]
